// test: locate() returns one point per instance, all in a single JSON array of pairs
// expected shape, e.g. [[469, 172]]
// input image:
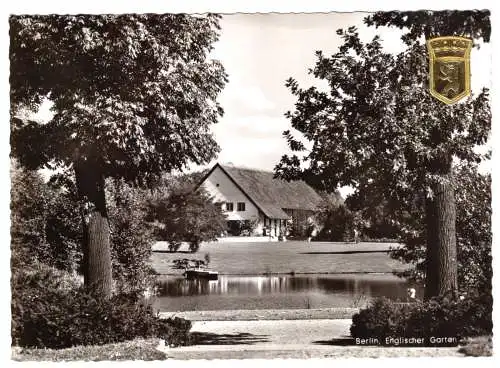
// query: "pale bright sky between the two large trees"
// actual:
[[261, 51]]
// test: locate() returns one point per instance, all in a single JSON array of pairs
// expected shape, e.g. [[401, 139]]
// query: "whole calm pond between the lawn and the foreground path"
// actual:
[[277, 292]]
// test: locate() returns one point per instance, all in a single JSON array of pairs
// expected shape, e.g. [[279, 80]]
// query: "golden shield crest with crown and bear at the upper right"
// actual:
[[449, 68]]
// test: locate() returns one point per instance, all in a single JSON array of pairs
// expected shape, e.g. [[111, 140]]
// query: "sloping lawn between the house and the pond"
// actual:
[[285, 257]]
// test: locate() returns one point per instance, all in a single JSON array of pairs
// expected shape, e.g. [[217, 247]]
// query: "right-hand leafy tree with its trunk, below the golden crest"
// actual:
[[378, 129]]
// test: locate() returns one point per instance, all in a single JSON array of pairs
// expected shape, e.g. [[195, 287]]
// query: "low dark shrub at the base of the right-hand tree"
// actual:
[[440, 316]]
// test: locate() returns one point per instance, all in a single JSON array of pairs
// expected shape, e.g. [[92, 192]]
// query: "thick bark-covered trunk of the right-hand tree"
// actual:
[[442, 273]]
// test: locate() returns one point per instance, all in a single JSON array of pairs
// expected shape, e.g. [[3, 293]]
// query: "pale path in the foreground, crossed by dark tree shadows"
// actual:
[[284, 339]]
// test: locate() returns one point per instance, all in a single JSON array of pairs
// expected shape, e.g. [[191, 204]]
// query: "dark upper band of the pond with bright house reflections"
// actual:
[[388, 286]]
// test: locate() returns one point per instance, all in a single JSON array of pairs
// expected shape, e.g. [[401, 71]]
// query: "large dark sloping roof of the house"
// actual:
[[272, 195]]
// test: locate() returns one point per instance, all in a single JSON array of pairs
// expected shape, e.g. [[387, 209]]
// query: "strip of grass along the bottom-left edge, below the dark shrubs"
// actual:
[[138, 349]]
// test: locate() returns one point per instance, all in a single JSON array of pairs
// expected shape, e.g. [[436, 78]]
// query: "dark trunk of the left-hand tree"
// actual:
[[96, 247]]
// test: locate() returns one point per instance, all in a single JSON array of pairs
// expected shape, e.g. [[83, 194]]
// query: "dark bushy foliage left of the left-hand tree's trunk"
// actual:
[[46, 225]]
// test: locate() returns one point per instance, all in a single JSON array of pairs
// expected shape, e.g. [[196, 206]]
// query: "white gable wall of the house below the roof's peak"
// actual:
[[222, 189]]
